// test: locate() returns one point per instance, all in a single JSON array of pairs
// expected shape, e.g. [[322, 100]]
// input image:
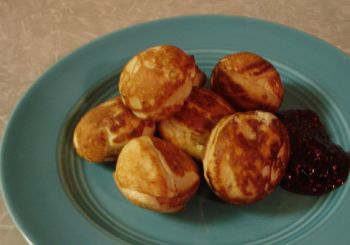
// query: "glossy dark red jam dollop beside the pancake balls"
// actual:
[[316, 164]]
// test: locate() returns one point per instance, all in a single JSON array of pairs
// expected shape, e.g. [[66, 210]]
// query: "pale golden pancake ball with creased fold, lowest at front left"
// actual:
[[155, 174]]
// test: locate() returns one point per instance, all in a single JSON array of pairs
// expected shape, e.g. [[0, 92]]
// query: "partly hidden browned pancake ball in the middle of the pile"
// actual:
[[189, 128]]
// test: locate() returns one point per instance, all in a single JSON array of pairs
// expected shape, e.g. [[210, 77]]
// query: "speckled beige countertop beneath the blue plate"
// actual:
[[34, 34]]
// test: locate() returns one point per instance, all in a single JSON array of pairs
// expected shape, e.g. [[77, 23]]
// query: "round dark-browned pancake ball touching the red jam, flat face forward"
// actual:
[[246, 156]]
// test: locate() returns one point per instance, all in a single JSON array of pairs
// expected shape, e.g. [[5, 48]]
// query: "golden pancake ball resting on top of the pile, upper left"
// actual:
[[155, 83]]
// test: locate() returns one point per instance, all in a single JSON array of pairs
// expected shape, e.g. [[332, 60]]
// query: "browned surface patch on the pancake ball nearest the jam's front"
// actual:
[[248, 166]]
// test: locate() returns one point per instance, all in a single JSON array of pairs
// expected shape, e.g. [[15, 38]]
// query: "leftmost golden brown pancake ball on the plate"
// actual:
[[105, 129]]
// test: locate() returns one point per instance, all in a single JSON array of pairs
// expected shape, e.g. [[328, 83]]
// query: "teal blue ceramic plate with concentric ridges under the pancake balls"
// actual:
[[55, 197]]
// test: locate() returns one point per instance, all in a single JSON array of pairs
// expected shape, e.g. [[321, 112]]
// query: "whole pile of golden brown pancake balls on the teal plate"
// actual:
[[227, 134]]
